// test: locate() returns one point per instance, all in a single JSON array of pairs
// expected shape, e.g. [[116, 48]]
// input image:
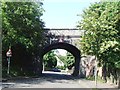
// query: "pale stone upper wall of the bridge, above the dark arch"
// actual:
[[70, 36]]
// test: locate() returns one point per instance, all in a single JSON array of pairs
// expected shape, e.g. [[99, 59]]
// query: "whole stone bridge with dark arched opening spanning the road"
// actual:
[[67, 39]]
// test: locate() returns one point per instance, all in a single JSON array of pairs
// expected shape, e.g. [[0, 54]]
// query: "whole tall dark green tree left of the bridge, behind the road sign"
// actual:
[[22, 29]]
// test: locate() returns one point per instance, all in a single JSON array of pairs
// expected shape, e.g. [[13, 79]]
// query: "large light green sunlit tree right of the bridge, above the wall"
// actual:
[[101, 22]]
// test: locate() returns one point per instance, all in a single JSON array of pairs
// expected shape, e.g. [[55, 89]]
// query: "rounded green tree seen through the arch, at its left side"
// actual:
[[50, 60]]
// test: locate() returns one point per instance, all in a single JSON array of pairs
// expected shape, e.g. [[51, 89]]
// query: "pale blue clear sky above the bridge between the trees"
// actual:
[[63, 13]]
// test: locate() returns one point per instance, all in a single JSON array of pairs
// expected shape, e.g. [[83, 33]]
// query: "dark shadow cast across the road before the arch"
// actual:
[[46, 76]]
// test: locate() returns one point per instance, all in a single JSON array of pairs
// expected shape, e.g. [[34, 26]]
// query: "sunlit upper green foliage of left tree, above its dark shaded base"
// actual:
[[21, 23]]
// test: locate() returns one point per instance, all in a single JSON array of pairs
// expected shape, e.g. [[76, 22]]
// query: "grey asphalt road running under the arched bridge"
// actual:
[[53, 80]]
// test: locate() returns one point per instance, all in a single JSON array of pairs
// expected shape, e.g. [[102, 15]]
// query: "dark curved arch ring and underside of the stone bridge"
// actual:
[[70, 48]]
